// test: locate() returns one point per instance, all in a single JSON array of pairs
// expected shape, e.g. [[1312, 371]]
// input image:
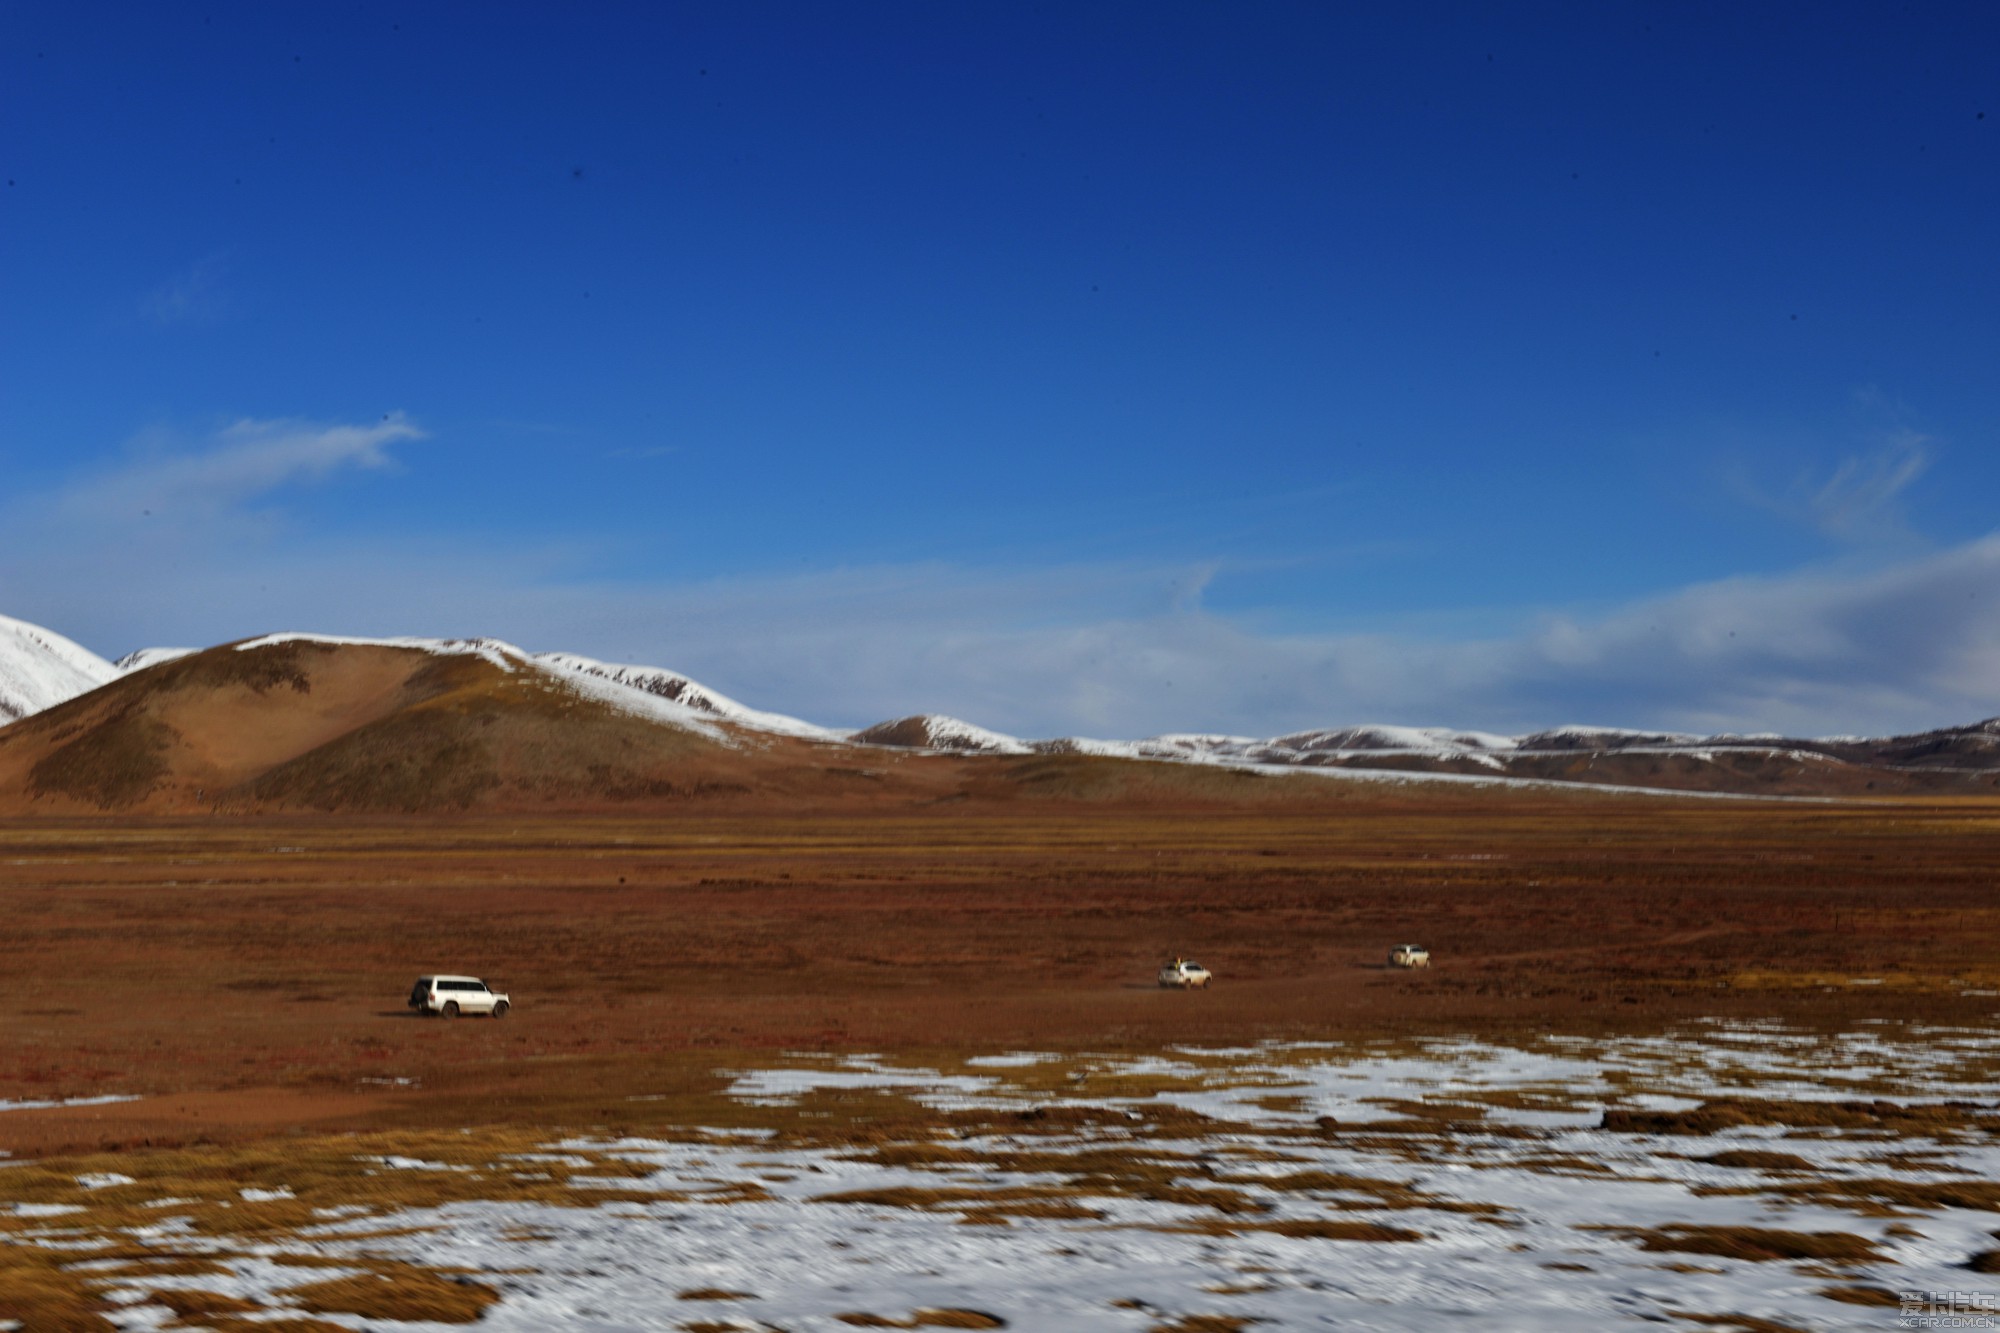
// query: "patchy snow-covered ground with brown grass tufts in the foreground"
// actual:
[[1391, 1186]]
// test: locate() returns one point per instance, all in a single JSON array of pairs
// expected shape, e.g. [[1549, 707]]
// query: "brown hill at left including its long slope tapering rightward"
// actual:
[[373, 728]]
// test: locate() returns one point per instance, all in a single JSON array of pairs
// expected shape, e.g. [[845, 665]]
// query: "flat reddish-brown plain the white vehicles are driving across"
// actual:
[[249, 976]]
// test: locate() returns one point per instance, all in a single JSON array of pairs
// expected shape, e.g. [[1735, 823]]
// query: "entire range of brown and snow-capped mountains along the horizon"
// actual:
[[457, 724]]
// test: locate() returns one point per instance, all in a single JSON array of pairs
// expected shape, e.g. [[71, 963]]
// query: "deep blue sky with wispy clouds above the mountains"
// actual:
[[1073, 369]]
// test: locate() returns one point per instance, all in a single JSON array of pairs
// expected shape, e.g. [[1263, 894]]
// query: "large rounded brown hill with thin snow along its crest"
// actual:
[[365, 728]]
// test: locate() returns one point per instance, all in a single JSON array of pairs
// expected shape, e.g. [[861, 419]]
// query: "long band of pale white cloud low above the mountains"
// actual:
[[1113, 649]]
